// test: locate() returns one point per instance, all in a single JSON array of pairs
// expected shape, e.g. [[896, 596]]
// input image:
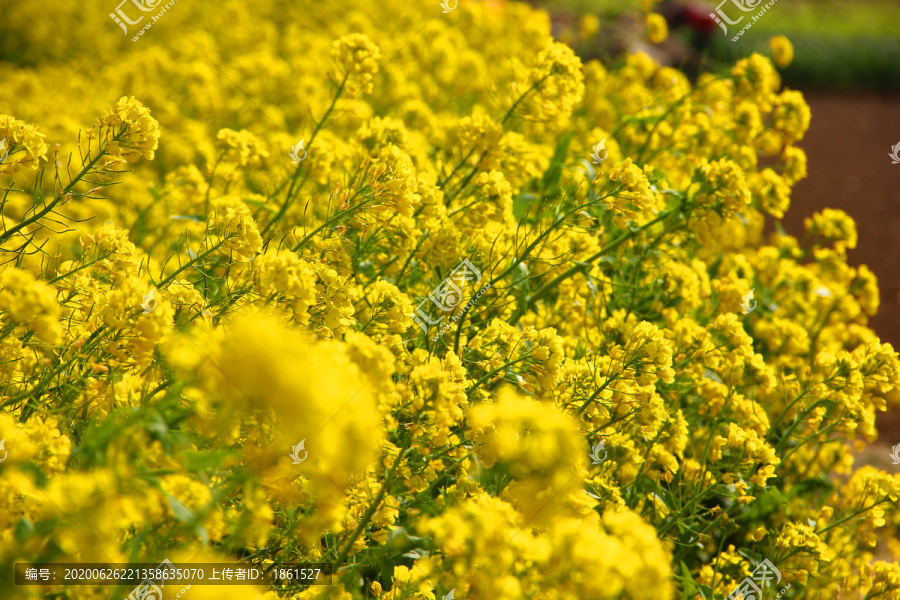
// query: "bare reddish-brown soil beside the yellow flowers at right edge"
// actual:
[[847, 148]]
